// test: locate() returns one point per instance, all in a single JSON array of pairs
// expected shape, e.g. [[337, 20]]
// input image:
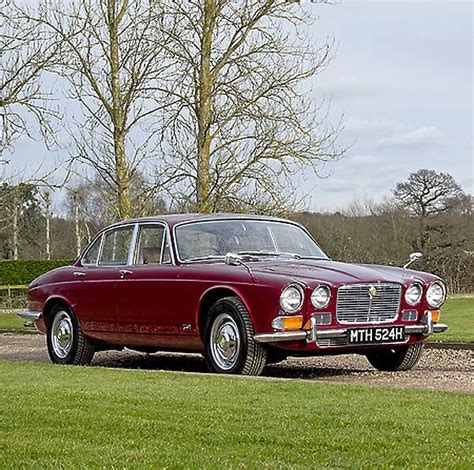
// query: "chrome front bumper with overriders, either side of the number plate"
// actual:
[[313, 335]]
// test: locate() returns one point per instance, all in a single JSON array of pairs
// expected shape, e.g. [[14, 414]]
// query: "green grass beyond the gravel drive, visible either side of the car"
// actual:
[[458, 313]]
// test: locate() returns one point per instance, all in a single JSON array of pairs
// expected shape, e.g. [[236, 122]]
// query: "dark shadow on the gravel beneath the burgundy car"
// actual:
[[196, 363]]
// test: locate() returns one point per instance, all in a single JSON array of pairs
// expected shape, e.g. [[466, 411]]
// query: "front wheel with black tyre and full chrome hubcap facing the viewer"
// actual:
[[237, 352]]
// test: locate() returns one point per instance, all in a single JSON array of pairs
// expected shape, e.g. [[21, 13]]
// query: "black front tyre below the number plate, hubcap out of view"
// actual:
[[396, 359]]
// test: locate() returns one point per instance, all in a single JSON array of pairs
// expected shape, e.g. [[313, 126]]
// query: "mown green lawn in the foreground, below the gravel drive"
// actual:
[[66, 417]]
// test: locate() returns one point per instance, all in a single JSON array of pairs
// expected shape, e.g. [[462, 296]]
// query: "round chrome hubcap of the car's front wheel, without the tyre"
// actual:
[[225, 341]]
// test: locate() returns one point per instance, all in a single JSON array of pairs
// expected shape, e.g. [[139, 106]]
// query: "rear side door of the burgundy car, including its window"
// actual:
[[95, 279]]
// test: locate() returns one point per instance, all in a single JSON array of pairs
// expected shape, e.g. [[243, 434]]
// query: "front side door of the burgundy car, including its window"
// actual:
[[148, 296]]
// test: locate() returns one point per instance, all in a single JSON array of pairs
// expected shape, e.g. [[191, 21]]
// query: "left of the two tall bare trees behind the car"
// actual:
[[111, 57]]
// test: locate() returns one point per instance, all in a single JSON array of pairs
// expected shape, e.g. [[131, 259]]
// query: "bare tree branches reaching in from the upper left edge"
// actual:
[[26, 50]]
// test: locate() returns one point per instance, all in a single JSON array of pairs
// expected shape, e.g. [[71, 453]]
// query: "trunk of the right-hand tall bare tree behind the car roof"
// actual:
[[204, 110]]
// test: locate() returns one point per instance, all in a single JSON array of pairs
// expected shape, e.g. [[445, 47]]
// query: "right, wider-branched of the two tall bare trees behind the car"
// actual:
[[239, 124]]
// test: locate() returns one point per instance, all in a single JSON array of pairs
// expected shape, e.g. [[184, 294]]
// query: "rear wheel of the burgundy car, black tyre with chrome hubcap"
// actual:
[[65, 339]]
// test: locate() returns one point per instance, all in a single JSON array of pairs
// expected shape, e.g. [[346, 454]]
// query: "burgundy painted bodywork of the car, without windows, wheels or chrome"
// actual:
[[160, 306]]
